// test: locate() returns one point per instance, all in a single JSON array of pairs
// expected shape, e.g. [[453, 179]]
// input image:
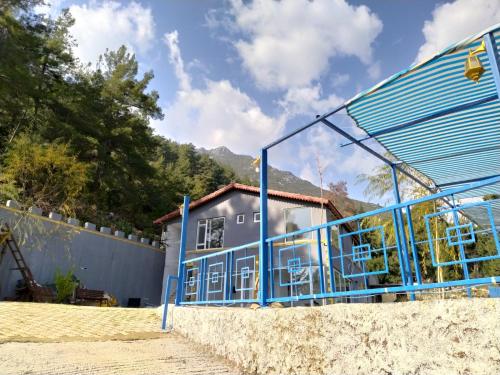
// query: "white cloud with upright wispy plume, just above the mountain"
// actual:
[[215, 115]]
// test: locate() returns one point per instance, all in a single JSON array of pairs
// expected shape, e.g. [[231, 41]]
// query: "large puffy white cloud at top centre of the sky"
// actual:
[[288, 44]]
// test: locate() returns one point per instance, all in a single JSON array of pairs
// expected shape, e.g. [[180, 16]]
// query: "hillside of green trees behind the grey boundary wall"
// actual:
[[76, 139]]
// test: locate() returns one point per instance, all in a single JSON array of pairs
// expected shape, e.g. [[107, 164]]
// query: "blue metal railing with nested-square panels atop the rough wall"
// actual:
[[339, 259]]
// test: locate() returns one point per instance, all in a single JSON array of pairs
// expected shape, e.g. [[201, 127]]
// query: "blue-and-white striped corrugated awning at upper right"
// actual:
[[434, 119]]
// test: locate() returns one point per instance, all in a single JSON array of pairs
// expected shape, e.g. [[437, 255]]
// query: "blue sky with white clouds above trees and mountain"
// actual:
[[241, 74]]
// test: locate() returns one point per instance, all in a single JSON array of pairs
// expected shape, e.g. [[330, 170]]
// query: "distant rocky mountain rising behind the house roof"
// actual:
[[280, 180]]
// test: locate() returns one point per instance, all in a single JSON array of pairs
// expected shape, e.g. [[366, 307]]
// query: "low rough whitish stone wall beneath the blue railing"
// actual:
[[429, 337]]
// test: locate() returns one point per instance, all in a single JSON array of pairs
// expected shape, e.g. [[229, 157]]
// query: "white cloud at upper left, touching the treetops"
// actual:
[[110, 24]]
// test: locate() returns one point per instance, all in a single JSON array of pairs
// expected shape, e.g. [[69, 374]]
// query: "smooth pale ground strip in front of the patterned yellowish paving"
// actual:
[[169, 355]]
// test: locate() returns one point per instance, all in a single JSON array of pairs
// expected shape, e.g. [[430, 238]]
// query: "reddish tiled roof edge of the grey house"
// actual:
[[252, 189]]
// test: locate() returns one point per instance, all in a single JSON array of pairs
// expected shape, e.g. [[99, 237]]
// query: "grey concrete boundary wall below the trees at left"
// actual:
[[100, 260]]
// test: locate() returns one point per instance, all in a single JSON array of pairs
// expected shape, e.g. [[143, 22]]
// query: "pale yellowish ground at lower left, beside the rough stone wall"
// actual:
[[57, 339]]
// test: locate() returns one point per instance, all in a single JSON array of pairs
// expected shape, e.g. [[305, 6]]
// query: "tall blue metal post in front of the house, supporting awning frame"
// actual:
[[263, 229]]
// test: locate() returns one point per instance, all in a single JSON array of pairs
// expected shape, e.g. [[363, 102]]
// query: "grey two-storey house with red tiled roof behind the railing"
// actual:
[[230, 217]]
